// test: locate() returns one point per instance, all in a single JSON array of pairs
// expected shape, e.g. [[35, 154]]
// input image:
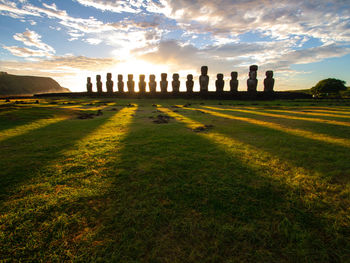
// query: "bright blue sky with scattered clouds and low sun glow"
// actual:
[[302, 41]]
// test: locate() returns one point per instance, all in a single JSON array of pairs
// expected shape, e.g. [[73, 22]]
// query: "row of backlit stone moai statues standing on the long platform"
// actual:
[[252, 82]]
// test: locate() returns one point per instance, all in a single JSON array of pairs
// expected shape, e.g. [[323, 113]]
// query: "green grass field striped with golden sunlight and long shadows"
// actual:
[[214, 181]]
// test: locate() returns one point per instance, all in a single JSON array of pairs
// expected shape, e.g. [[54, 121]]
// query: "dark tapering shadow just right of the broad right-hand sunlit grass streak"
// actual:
[[327, 159]]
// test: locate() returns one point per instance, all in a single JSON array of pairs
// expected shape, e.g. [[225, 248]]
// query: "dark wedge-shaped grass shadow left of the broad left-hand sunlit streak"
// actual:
[[22, 156]]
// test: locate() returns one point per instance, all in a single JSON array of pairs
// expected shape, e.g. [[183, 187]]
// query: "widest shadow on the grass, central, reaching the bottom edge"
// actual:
[[178, 197]]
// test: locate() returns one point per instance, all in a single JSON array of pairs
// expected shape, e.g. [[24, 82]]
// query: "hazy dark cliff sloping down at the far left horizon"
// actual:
[[27, 85]]
